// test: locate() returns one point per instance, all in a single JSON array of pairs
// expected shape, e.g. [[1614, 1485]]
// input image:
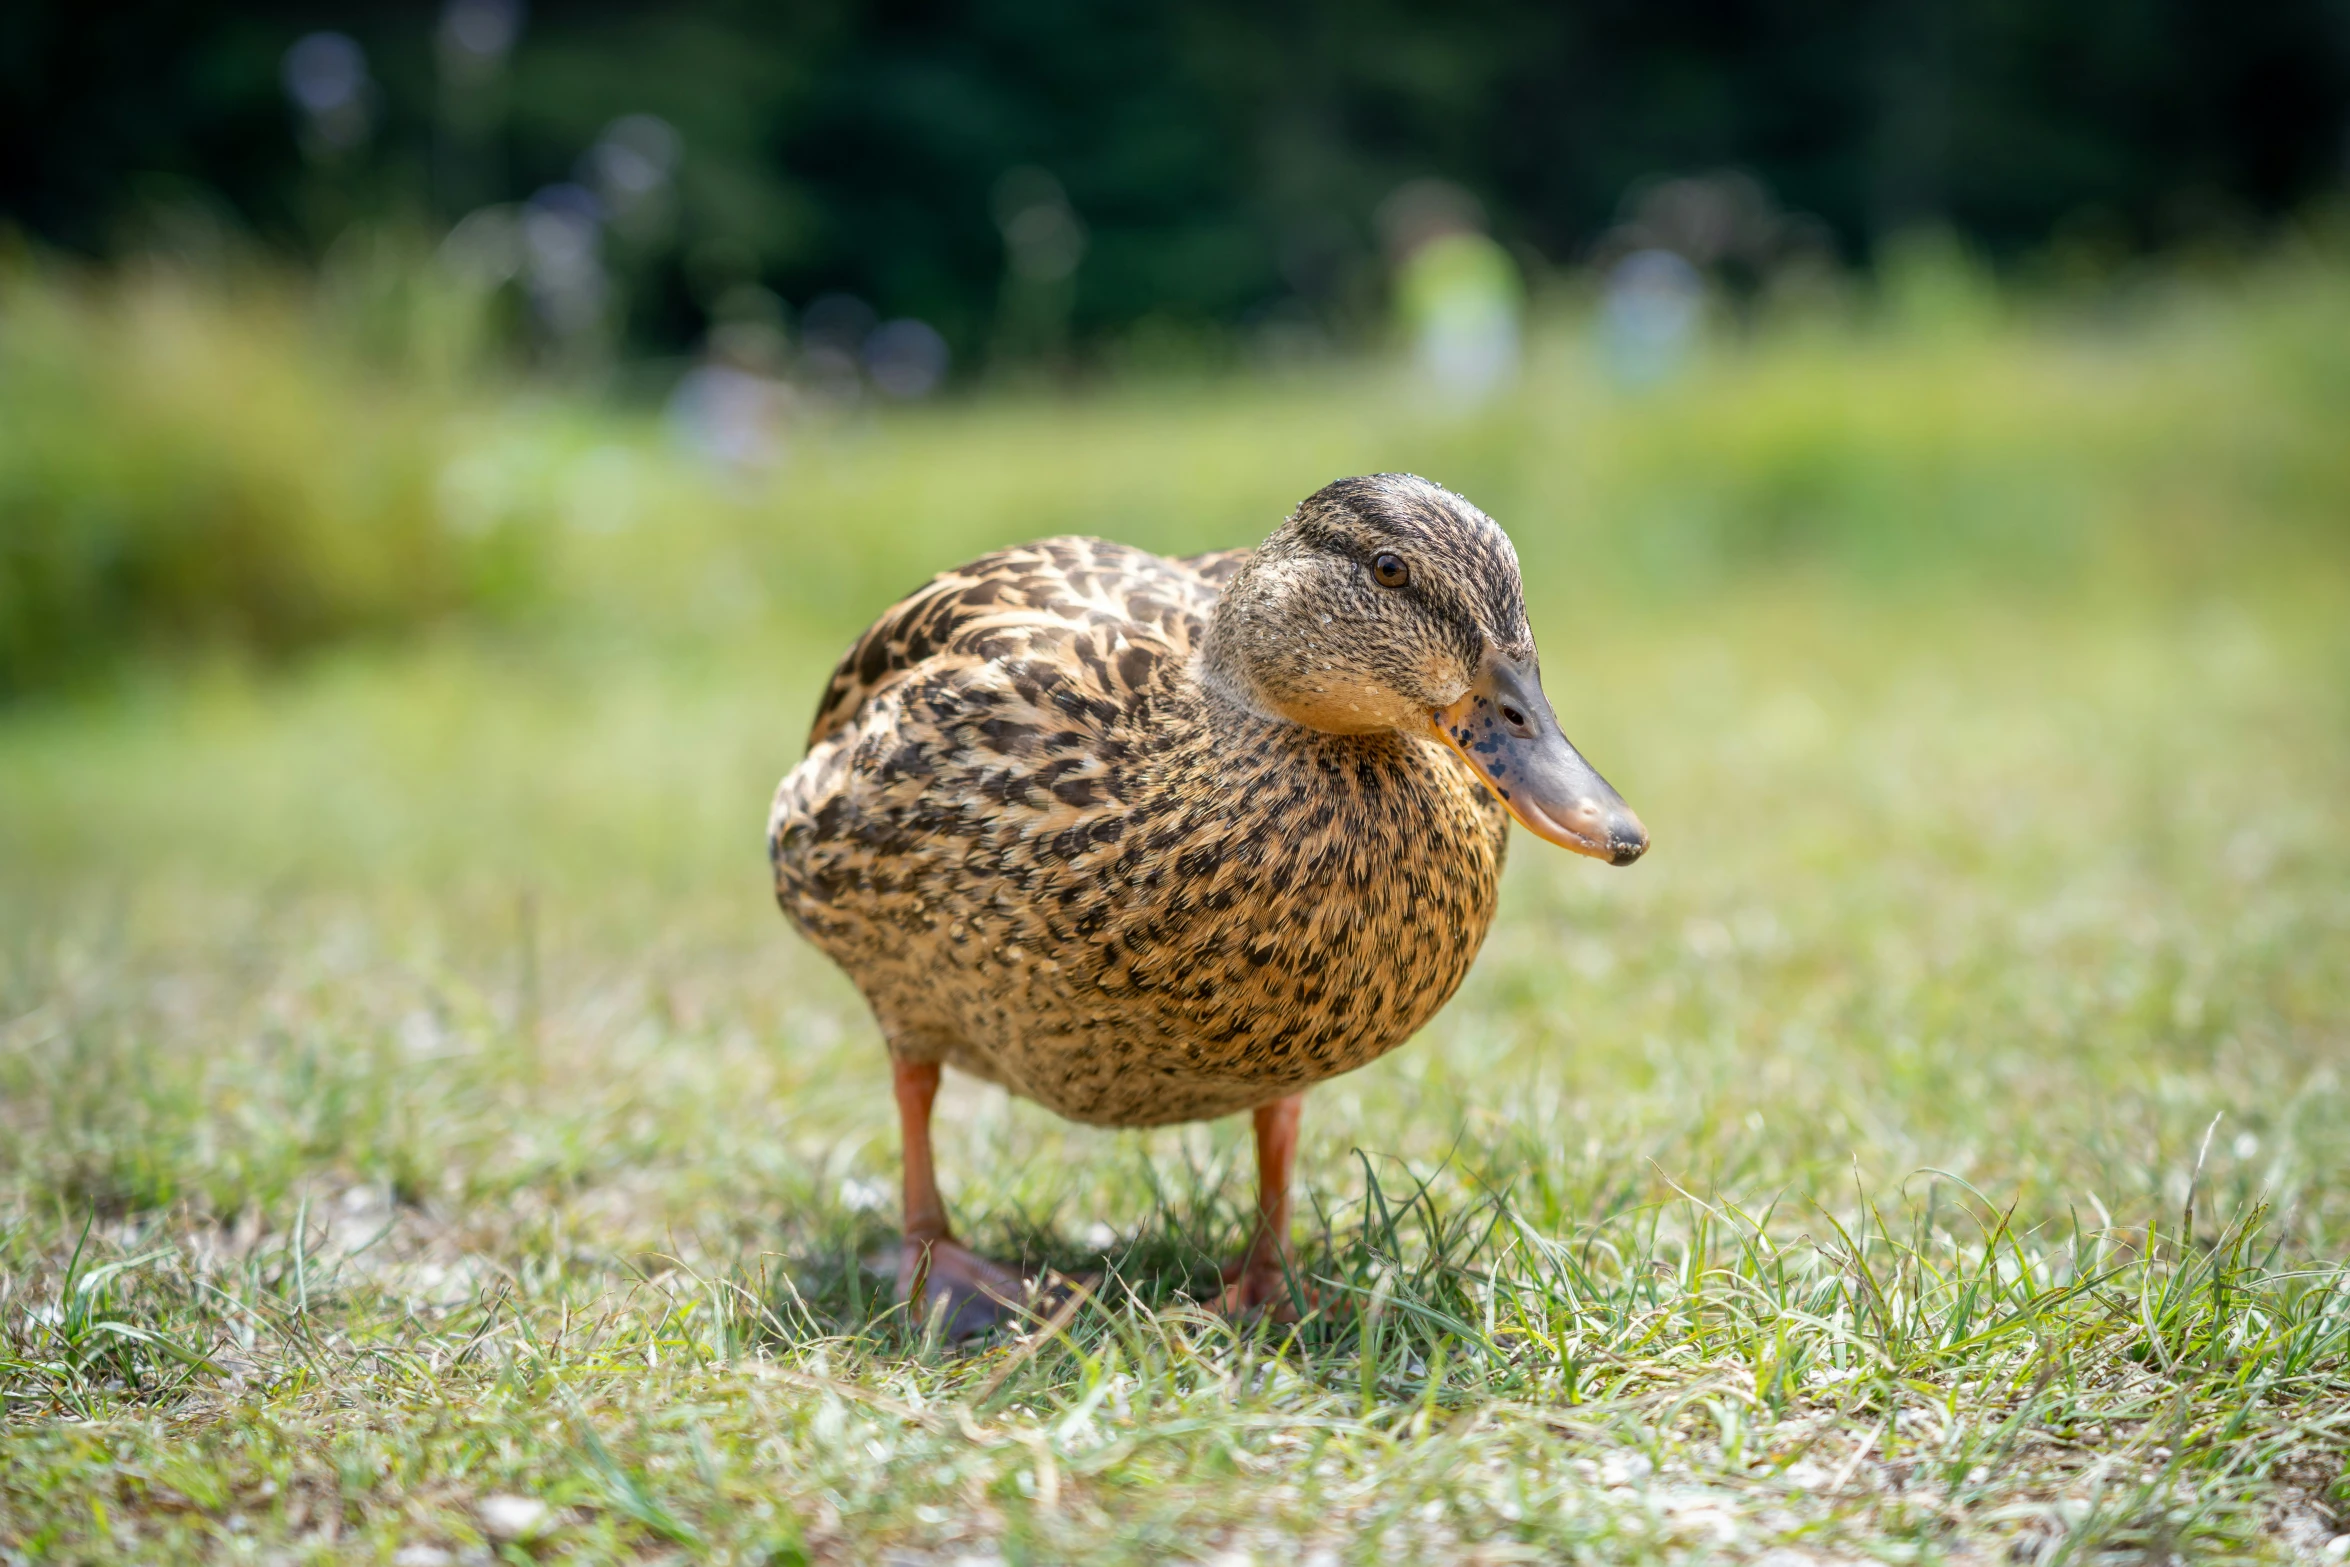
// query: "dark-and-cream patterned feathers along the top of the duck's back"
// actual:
[[1019, 600]]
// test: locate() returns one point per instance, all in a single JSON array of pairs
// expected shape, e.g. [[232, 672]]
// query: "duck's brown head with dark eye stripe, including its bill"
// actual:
[[1392, 605]]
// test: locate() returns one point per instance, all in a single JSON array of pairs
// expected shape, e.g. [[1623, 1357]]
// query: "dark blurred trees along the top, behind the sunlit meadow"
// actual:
[[1040, 173]]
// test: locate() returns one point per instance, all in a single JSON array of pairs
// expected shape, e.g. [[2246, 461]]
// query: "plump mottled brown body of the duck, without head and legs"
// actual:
[[1045, 861]]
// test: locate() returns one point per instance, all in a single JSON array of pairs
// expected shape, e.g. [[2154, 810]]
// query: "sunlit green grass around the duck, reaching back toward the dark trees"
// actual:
[[1935, 1150]]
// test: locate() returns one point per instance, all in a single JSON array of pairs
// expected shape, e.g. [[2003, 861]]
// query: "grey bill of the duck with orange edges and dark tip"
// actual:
[[1508, 734]]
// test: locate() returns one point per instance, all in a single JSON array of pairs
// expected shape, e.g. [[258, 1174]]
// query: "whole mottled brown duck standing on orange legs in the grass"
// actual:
[[1160, 840]]
